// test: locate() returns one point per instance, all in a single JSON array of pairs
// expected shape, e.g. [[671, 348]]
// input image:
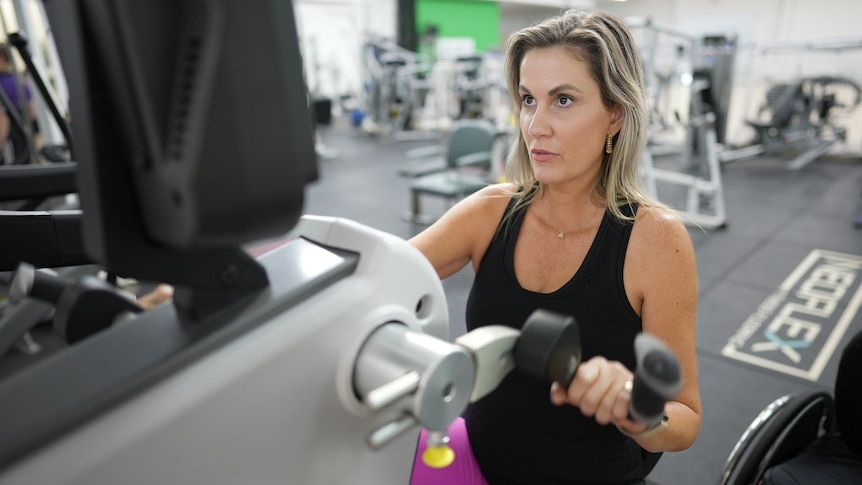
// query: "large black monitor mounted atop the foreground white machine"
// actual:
[[193, 136]]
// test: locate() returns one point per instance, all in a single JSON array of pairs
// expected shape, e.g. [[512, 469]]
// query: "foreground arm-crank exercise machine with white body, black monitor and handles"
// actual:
[[314, 363]]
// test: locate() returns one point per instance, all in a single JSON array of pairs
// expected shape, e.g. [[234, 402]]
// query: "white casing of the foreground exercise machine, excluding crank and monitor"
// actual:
[[277, 404]]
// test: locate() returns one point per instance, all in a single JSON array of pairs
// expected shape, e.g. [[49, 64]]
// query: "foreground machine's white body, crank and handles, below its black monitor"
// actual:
[[282, 387]]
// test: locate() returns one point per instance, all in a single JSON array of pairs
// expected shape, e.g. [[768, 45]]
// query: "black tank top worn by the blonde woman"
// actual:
[[517, 435]]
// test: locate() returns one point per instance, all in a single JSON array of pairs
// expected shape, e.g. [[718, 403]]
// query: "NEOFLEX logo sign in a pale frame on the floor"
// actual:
[[797, 328]]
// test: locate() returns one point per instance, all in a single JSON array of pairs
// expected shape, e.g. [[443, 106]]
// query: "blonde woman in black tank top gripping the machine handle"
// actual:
[[574, 232]]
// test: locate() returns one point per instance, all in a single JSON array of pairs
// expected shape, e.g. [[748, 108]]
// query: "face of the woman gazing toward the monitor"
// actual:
[[563, 121]]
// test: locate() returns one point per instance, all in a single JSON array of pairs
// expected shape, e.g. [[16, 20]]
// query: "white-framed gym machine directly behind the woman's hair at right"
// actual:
[[688, 99]]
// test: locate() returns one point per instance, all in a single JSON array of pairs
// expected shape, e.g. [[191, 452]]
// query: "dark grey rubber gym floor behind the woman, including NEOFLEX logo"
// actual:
[[780, 285]]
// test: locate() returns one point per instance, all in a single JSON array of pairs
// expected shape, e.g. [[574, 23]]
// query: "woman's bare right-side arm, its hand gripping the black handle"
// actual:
[[661, 282]]
